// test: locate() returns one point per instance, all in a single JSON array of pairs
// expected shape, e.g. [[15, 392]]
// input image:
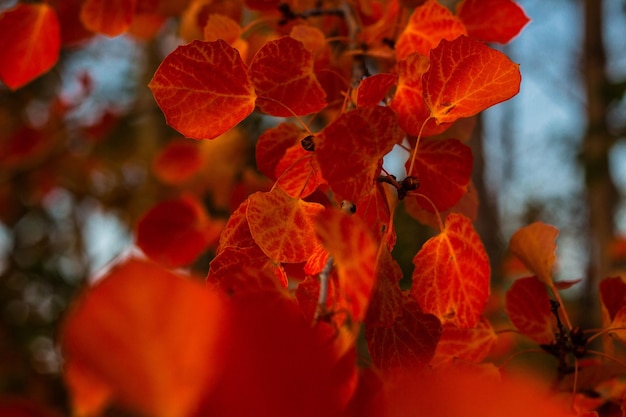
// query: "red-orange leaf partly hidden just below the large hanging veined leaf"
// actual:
[[473, 344]]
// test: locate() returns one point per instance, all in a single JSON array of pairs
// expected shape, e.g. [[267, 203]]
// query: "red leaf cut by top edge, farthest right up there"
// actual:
[[492, 20]]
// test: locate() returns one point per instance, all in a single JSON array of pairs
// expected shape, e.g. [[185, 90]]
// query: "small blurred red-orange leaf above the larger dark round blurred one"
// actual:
[[177, 162]]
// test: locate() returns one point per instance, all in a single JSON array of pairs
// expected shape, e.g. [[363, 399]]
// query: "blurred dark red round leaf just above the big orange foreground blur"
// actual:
[[176, 232]]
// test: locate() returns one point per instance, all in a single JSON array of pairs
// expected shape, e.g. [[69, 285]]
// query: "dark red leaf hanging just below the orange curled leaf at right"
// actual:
[[528, 307]]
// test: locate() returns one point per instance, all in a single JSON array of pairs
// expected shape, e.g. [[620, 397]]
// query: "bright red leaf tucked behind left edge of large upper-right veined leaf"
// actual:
[[413, 115]]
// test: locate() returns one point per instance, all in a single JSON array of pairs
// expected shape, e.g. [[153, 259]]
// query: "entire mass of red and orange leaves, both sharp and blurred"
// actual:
[[294, 277]]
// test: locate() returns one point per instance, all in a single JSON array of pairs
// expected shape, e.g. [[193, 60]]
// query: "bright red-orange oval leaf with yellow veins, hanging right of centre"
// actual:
[[451, 275]]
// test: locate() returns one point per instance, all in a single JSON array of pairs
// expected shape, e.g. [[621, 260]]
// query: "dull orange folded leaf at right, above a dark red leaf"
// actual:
[[535, 246]]
